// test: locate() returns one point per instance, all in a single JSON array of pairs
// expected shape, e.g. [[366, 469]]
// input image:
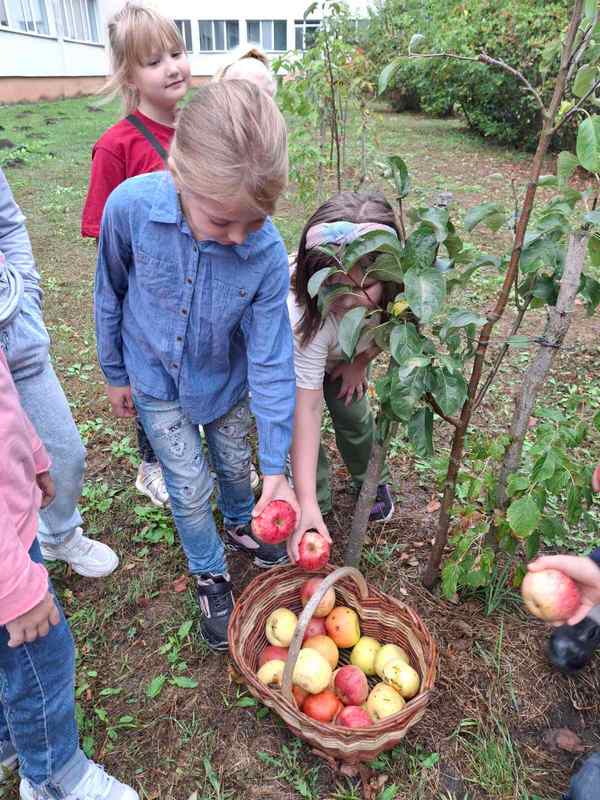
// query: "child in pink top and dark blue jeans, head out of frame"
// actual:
[[37, 656]]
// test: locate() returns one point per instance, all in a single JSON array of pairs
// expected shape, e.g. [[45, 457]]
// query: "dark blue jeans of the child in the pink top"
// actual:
[[37, 707]]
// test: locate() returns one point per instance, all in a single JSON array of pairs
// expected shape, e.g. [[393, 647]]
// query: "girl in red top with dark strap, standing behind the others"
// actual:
[[152, 73]]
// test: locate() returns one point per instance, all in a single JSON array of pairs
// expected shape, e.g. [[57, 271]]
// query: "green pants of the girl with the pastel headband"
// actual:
[[354, 429]]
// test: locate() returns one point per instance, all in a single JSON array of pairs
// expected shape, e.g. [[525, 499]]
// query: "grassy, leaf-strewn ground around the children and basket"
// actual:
[[488, 732]]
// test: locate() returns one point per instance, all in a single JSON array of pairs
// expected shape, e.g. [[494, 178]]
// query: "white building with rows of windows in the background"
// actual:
[[56, 48]]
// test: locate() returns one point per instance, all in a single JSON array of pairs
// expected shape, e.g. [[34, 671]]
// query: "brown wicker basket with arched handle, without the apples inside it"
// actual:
[[381, 616]]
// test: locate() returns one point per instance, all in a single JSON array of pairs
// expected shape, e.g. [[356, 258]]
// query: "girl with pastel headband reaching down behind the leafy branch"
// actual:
[[321, 371]]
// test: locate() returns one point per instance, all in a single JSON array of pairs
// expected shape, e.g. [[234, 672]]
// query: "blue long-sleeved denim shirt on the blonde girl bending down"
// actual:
[[194, 320]]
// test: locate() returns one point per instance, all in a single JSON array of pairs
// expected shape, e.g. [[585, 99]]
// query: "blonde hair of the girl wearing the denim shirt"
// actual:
[[231, 142]]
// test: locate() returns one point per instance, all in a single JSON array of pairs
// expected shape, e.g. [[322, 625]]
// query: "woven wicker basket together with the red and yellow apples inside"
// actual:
[[347, 667]]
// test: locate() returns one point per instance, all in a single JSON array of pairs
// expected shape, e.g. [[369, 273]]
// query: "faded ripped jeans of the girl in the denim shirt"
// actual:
[[178, 447]]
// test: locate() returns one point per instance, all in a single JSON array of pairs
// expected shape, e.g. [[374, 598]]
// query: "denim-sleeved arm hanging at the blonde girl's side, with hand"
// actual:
[[112, 279]]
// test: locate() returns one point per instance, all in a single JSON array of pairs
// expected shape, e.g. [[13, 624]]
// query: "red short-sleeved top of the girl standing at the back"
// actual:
[[120, 153]]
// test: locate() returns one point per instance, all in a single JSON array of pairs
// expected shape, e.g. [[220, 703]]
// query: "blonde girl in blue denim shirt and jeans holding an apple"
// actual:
[[190, 302]]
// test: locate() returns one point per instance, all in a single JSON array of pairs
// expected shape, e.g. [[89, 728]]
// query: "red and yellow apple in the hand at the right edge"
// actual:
[[550, 595]]
